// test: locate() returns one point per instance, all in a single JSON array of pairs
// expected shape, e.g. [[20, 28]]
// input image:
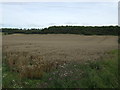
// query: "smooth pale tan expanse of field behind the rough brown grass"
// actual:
[[60, 46]]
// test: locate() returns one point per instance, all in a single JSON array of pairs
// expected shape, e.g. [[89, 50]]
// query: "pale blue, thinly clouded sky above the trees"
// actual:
[[45, 14]]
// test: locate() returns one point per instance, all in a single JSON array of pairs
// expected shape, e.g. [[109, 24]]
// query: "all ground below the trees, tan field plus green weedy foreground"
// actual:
[[61, 59]]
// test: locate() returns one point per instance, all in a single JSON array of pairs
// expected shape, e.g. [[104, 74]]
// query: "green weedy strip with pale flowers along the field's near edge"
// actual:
[[102, 73]]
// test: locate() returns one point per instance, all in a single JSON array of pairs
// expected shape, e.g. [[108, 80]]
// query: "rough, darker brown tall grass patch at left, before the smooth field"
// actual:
[[28, 65]]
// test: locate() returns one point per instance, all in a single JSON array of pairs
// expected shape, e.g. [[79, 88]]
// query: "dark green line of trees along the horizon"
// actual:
[[82, 30]]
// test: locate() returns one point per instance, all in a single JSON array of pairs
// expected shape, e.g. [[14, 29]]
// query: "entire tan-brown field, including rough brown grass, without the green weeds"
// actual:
[[26, 54]]
